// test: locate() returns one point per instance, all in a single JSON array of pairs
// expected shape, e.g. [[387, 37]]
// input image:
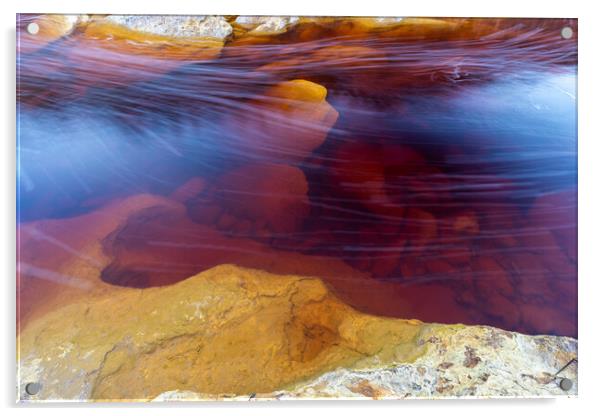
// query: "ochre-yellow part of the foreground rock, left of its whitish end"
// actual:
[[228, 330]]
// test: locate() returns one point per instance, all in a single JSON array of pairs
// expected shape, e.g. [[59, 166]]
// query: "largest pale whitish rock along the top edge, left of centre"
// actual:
[[175, 26]]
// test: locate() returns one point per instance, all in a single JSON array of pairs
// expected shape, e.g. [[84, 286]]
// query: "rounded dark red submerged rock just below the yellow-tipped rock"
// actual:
[[275, 195]]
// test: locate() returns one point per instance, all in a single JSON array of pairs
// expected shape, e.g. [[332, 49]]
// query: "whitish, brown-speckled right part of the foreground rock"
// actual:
[[461, 361]]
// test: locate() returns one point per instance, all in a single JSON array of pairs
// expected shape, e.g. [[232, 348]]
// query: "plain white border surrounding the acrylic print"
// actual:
[[590, 209]]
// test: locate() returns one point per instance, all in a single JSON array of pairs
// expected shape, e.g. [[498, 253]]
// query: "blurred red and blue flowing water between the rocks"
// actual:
[[444, 191]]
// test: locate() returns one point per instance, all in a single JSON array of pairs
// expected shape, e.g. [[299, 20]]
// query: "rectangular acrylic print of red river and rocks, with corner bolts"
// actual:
[[246, 208]]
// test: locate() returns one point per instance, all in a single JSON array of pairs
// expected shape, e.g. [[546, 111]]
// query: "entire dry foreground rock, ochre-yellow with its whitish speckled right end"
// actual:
[[231, 332]]
